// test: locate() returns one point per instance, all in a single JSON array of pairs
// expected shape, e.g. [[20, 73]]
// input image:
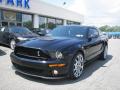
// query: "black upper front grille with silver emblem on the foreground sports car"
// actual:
[[26, 52]]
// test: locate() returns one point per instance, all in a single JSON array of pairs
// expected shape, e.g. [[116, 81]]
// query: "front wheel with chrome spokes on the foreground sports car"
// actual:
[[77, 66]]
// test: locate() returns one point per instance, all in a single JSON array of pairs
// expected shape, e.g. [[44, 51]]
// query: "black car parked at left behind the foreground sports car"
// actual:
[[11, 35]]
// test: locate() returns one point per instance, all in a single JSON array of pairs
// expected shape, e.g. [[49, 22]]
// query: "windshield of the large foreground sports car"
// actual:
[[67, 31]]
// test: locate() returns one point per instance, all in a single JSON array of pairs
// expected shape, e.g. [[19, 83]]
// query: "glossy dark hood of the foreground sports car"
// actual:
[[50, 43]]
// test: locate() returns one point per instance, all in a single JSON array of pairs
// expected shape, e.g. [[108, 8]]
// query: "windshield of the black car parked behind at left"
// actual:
[[20, 30]]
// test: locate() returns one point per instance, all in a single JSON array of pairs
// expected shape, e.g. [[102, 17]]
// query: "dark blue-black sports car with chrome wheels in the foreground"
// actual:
[[62, 53]]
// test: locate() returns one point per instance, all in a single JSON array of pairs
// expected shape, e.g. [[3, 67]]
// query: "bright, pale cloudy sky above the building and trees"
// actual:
[[96, 12]]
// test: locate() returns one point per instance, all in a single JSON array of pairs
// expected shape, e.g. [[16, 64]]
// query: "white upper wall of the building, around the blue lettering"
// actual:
[[40, 8]]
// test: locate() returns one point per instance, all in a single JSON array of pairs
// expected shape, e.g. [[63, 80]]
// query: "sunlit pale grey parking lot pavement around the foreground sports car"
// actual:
[[98, 75]]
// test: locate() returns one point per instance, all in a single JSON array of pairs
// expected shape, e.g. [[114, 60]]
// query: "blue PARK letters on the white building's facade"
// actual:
[[17, 3]]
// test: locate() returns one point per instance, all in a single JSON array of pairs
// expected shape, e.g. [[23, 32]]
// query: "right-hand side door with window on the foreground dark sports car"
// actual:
[[94, 43]]
